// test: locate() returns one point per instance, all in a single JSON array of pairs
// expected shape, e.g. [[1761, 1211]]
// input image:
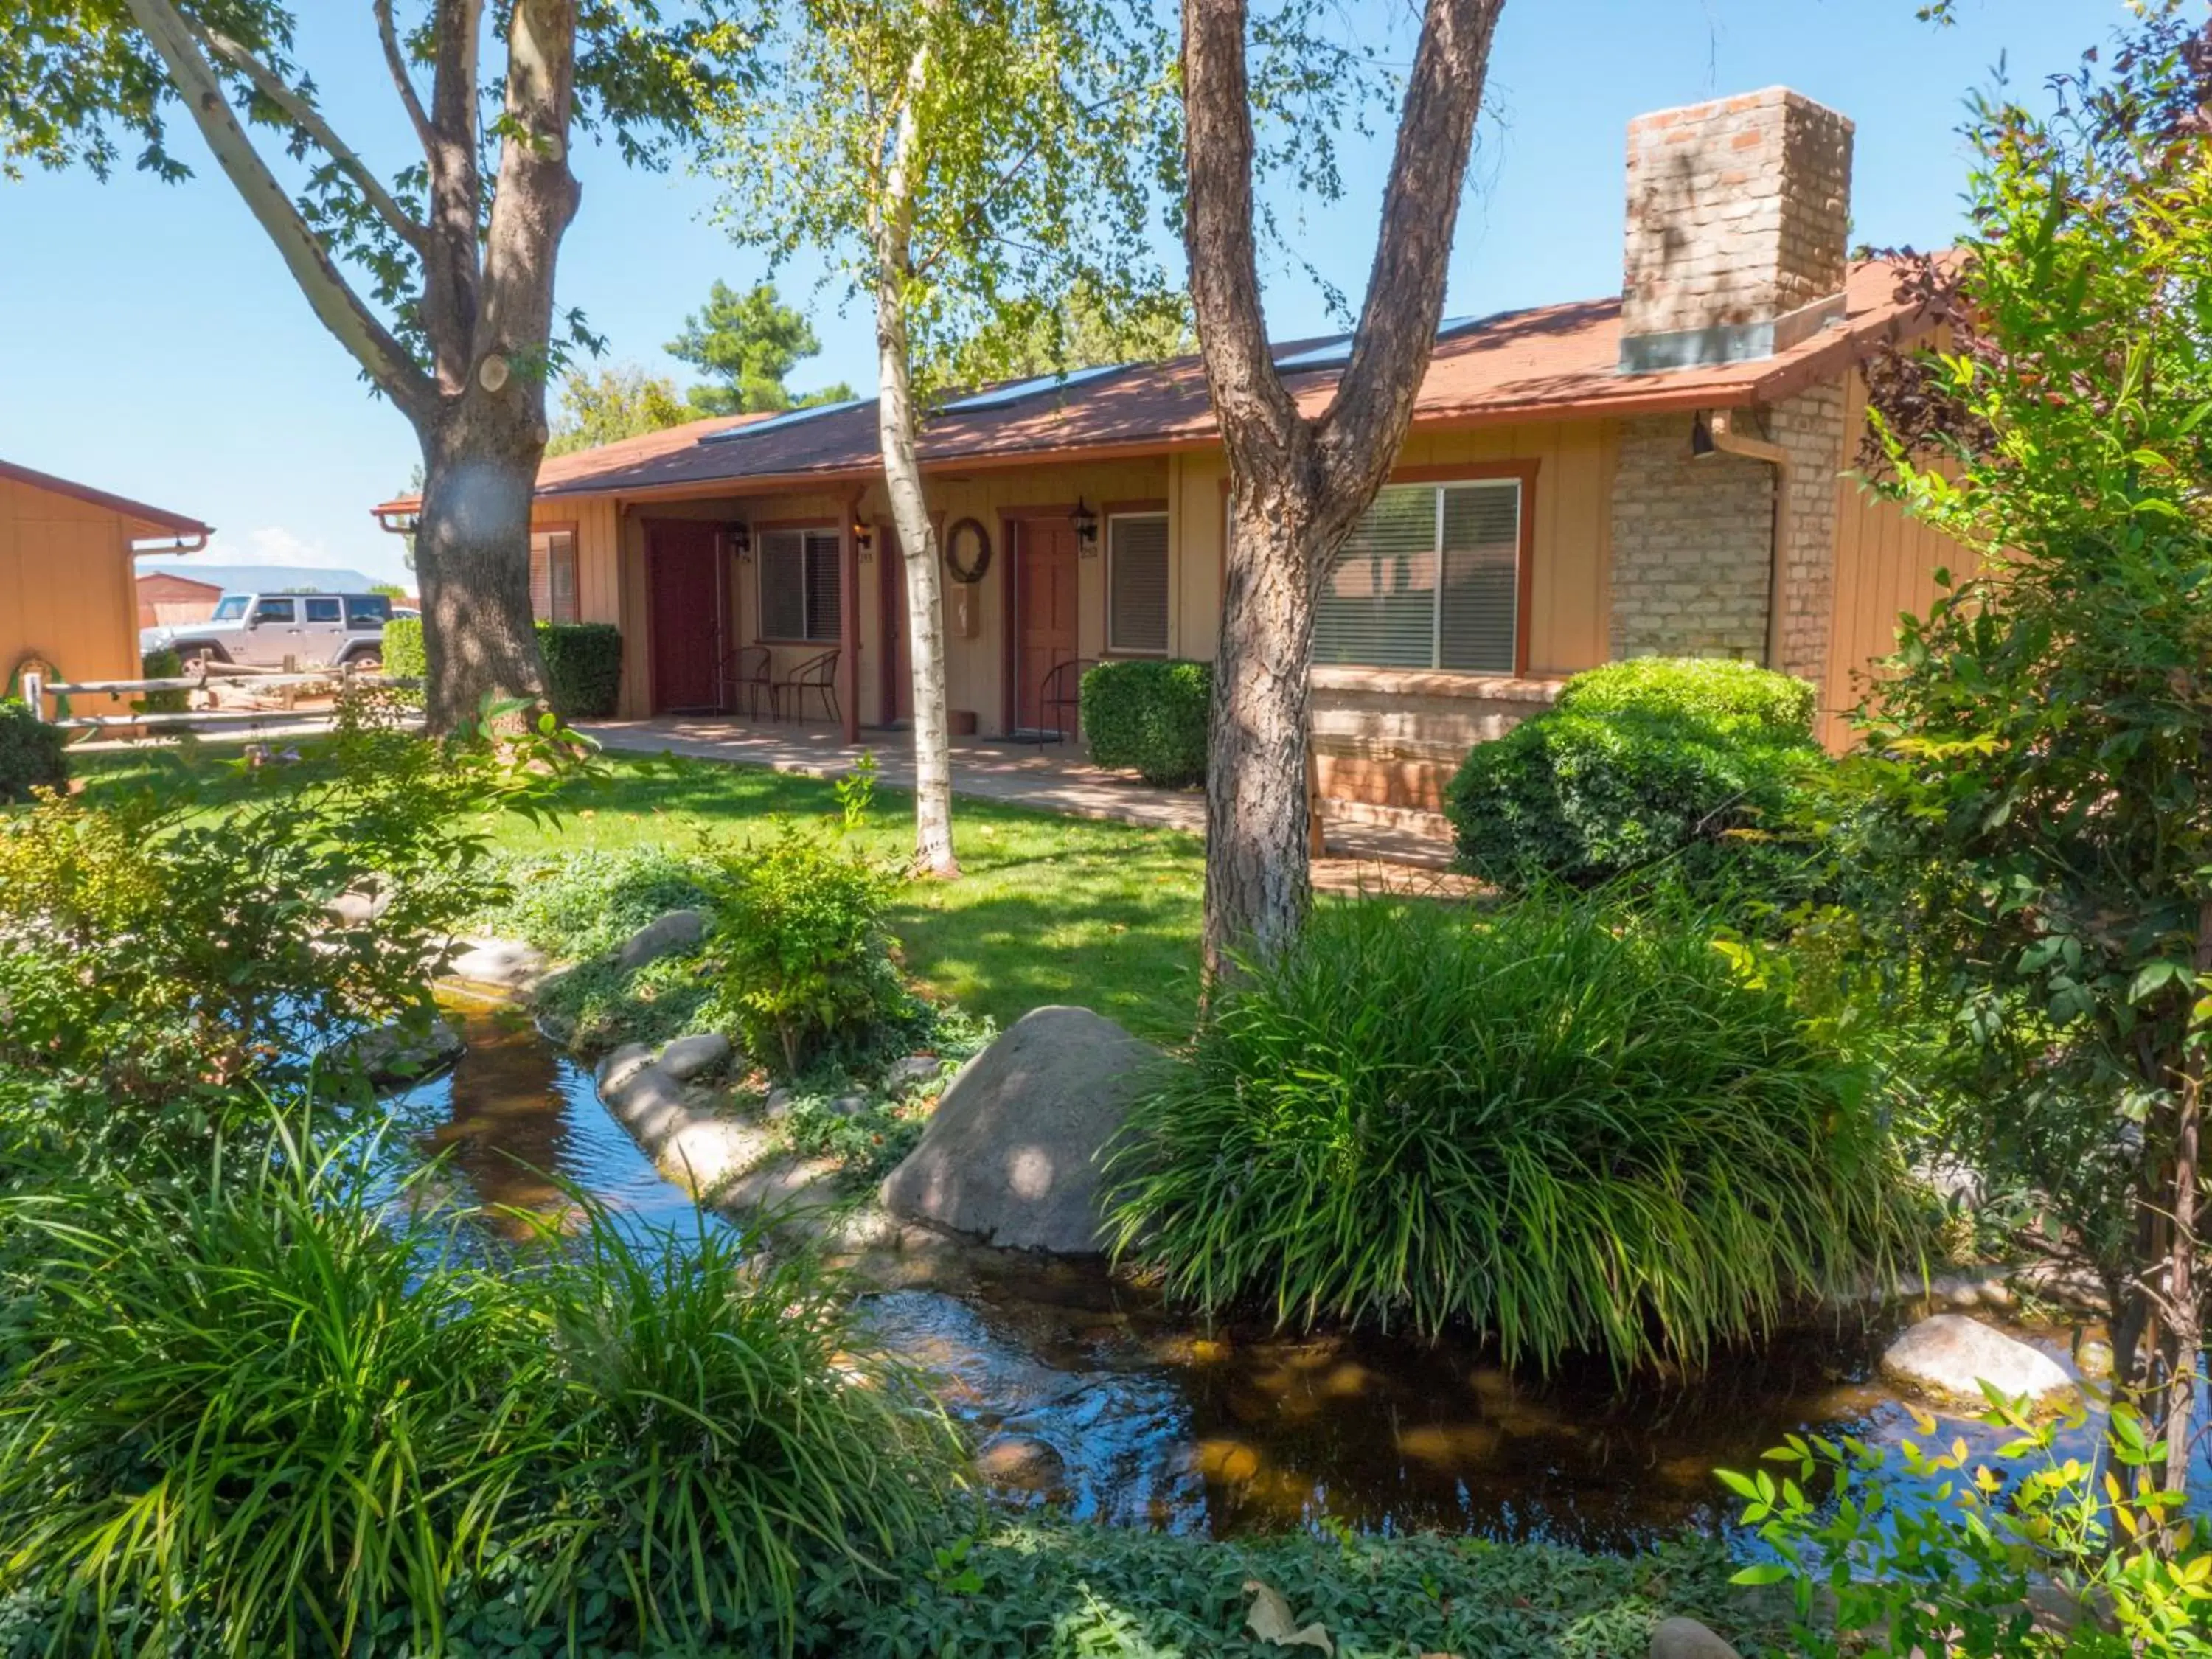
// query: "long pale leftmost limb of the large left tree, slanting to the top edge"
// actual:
[[304, 255]]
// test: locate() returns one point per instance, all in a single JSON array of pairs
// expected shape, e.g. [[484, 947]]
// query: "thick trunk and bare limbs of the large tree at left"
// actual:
[[479, 406]]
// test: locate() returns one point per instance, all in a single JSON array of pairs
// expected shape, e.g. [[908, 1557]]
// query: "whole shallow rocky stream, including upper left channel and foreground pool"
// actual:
[[1089, 1392]]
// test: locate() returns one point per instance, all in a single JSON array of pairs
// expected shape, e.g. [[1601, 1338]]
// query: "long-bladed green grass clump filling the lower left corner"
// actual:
[[280, 1415]]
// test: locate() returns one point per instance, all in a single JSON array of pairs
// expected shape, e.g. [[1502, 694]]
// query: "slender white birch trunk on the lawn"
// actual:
[[904, 481]]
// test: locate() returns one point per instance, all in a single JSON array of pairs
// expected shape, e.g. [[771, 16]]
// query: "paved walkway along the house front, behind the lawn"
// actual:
[[1052, 778]]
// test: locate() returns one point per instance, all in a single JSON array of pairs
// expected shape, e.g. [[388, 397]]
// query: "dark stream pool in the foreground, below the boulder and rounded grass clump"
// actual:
[[1238, 1430]]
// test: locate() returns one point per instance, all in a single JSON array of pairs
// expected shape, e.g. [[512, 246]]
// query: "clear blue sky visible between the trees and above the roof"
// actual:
[[154, 346]]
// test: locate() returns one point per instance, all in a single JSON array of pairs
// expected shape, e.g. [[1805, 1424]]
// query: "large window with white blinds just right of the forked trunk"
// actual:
[[1428, 581]]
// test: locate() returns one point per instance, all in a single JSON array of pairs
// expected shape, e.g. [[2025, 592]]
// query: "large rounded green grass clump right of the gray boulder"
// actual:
[[1567, 1123]]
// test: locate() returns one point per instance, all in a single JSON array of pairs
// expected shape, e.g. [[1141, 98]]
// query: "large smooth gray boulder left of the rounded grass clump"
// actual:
[[1012, 1154]]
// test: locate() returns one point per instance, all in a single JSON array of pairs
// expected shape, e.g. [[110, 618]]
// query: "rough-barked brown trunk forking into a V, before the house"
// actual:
[[1300, 486]]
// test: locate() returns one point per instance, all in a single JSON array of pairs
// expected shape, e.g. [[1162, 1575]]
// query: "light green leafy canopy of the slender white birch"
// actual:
[[1043, 134]]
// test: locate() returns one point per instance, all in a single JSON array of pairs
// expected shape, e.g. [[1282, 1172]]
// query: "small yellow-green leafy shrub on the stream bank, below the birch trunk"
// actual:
[[802, 946]]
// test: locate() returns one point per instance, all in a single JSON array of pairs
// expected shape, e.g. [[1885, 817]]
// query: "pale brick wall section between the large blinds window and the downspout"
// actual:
[[1691, 547]]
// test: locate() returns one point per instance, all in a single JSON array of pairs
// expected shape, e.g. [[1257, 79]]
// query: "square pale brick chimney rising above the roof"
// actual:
[[1738, 225]]
